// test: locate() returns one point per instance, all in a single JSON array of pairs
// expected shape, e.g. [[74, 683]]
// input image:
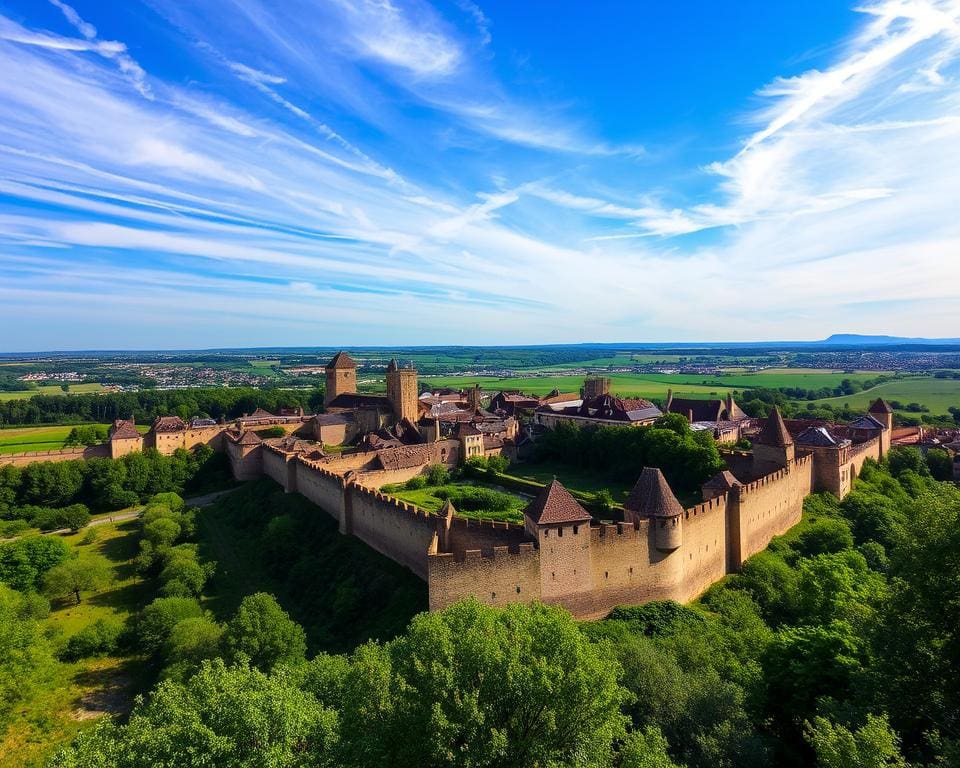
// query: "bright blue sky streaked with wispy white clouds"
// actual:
[[245, 172]]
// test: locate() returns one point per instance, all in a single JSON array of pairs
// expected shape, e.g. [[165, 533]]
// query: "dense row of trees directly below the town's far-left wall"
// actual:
[[30, 493]]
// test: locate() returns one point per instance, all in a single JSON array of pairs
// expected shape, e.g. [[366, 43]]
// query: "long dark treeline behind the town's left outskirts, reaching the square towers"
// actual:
[[144, 406]]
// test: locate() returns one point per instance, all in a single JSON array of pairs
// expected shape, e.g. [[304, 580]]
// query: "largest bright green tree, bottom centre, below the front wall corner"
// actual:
[[477, 686]]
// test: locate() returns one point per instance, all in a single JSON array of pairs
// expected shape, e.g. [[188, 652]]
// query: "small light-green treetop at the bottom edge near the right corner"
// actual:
[[872, 745]]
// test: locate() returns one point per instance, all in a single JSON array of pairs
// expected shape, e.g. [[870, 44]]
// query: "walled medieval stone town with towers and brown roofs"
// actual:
[[341, 458]]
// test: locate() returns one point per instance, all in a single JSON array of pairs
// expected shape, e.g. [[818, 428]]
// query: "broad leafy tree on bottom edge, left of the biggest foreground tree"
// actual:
[[229, 717]]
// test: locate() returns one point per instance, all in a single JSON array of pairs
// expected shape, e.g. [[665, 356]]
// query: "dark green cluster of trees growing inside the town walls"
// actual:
[[687, 458]]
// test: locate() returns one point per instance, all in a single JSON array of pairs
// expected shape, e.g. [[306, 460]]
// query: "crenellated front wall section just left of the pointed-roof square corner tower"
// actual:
[[502, 578]]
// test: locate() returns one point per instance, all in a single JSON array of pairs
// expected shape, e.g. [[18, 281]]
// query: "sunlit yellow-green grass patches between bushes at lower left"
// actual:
[[76, 694]]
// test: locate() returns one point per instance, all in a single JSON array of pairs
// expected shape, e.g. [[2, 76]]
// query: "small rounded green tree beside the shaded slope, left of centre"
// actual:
[[264, 633]]
